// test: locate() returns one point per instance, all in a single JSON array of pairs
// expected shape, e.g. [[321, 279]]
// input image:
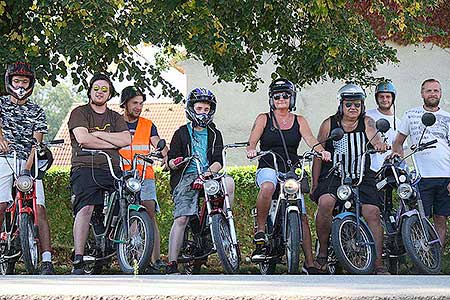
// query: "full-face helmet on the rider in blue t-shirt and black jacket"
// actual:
[[200, 95]]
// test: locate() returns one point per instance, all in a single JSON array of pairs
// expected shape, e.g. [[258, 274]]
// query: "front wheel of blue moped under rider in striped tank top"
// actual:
[[356, 256]]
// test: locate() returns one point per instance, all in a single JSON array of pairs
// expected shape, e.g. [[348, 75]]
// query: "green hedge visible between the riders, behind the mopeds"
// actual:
[[60, 213]]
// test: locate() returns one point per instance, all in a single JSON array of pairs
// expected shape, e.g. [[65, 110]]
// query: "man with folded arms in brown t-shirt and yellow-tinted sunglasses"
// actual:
[[93, 126]]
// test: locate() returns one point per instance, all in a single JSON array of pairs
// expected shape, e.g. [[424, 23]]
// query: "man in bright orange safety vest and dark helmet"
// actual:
[[144, 134]]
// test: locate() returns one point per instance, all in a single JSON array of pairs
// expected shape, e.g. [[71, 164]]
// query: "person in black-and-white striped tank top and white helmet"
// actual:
[[359, 130]]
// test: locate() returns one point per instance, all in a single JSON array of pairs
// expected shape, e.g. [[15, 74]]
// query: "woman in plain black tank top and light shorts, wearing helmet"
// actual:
[[282, 97]]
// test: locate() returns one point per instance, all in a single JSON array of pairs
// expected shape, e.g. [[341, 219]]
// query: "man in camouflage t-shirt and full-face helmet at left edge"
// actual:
[[22, 120]]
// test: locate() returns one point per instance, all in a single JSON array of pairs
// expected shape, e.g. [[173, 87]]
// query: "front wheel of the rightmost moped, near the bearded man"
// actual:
[[425, 257]]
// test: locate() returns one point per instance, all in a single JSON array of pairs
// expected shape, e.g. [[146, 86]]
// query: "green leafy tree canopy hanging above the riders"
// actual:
[[307, 40]]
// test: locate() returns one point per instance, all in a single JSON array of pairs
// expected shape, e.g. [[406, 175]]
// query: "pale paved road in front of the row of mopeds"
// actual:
[[224, 287]]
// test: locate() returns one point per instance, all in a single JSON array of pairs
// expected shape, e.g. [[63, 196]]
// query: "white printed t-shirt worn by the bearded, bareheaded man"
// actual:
[[434, 162]]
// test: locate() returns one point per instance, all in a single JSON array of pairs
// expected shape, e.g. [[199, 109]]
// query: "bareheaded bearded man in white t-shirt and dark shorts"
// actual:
[[433, 164]]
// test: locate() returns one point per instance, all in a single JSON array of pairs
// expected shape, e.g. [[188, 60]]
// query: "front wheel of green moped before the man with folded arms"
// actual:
[[135, 253]]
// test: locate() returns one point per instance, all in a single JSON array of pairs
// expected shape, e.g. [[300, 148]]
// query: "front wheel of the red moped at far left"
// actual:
[[29, 243]]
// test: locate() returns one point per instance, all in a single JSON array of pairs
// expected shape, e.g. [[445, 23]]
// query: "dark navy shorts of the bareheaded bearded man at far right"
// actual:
[[435, 196]]
